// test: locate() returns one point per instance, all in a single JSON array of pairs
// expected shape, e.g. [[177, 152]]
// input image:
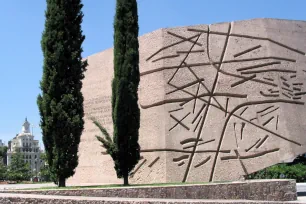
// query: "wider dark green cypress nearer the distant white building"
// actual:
[[61, 101]]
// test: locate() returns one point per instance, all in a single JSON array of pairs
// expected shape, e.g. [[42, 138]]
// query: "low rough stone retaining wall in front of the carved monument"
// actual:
[[268, 190]]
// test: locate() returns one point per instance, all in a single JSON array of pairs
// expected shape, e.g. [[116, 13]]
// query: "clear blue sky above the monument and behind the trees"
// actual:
[[22, 23]]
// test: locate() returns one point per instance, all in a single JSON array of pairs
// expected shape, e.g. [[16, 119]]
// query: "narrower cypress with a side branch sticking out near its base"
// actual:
[[124, 147]]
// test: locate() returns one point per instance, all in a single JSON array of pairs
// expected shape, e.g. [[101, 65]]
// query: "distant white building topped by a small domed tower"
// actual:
[[25, 143]]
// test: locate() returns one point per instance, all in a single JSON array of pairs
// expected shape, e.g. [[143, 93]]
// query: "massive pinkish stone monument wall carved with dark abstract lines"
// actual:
[[217, 102]]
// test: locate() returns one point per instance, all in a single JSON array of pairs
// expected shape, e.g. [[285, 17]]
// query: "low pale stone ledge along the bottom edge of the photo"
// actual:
[[7, 198]]
